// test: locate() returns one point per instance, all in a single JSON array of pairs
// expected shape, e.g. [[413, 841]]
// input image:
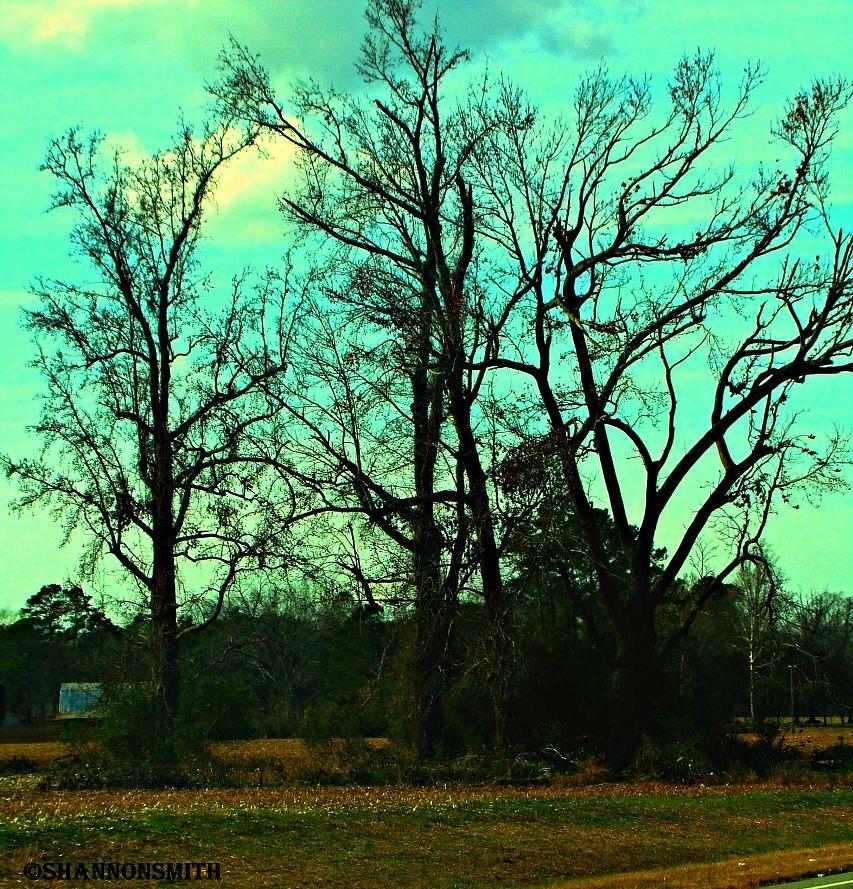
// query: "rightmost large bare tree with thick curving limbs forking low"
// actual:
[[636, 260]]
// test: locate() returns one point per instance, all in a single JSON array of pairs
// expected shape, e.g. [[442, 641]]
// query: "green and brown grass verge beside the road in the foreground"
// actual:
[[439, 838]]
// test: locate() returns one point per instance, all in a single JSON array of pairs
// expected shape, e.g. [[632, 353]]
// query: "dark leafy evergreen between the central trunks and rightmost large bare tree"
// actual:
[[562, 637]]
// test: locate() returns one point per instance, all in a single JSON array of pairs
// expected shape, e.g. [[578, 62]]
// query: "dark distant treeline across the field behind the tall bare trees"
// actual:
[[313, 669]]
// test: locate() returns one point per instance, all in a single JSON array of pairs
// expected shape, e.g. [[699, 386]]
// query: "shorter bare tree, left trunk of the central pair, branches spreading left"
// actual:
[[366, 458]]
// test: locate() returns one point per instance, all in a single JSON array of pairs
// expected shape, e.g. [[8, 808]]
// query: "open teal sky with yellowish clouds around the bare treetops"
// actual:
[[125, 67]]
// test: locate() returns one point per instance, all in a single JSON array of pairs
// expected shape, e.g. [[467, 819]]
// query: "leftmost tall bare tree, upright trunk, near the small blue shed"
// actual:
[[158, 419]]
